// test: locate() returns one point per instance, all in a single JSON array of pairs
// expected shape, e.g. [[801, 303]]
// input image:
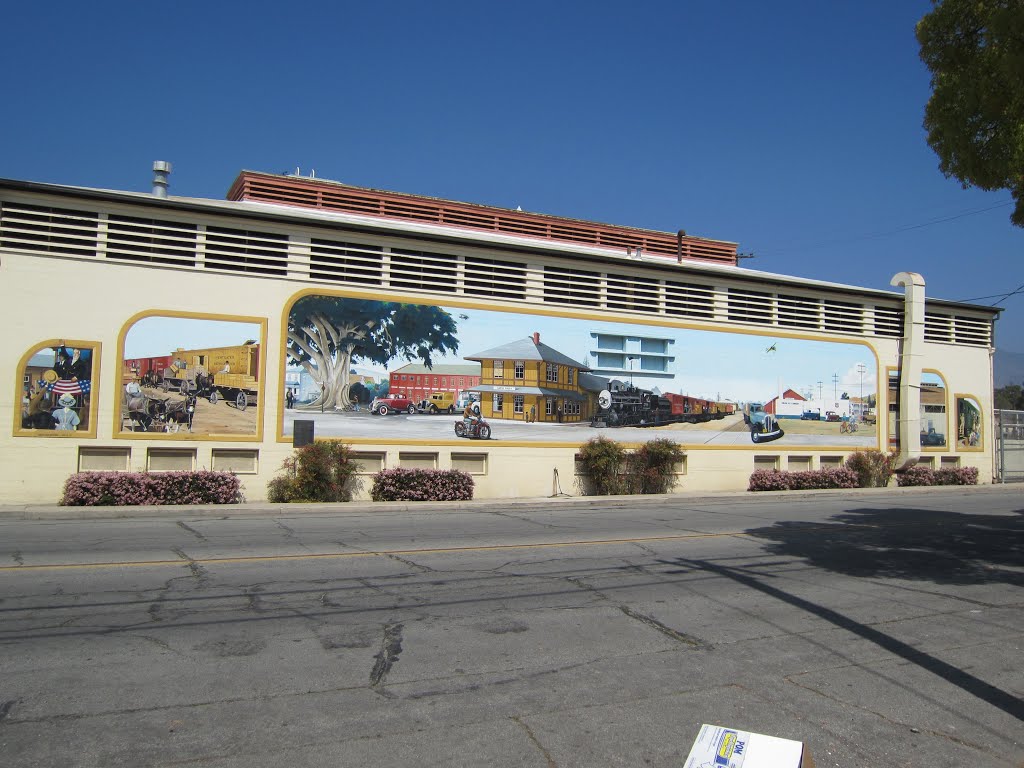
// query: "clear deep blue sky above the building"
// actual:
[[791, 129]]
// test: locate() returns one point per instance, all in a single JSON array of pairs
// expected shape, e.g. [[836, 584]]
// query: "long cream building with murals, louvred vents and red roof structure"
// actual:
[[156, 333]]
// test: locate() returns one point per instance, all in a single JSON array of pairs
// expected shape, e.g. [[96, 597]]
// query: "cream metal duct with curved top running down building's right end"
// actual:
[[909, 423]]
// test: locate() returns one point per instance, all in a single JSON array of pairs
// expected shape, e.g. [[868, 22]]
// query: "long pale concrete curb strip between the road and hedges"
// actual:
[[266, 509]]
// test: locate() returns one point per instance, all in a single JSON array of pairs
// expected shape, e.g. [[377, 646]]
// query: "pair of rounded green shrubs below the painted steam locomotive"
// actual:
[[613, 471]]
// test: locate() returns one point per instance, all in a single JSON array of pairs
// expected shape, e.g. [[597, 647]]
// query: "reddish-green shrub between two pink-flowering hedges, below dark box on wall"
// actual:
[[319, 473]]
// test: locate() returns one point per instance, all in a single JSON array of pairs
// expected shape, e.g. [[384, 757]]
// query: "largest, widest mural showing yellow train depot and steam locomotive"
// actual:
[[377, 370]]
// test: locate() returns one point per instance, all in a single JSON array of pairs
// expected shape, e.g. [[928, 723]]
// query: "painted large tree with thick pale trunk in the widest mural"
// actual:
[[327, 334]]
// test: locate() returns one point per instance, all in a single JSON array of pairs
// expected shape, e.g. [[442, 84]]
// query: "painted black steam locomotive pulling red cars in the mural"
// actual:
[[632, 407]]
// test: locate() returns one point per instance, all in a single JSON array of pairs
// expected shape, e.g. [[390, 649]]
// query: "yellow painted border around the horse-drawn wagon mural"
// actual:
[[189, 437]]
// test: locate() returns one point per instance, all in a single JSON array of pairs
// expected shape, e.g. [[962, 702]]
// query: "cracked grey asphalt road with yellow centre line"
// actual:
[[881, 629]]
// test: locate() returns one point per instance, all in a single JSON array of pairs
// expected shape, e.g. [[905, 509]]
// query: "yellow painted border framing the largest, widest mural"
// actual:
[[463, 304]]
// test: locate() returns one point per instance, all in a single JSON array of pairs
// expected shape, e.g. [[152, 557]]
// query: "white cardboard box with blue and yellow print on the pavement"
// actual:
[[717, 747]]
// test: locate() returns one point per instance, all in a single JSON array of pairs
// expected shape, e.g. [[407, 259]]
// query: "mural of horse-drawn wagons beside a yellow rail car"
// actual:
[[191, 376]]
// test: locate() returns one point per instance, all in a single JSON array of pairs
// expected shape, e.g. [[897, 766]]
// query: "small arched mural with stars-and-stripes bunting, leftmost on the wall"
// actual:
[[57, 390]]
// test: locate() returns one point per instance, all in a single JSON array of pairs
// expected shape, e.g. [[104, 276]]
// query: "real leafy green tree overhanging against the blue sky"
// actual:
[[975, 118]]
